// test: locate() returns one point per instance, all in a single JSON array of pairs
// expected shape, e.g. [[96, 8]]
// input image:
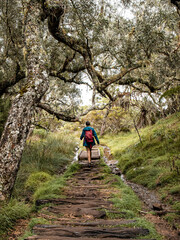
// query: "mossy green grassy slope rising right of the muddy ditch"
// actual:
[[156, 162]]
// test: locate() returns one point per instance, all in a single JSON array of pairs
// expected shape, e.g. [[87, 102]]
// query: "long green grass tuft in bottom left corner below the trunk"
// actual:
[[10, 213]]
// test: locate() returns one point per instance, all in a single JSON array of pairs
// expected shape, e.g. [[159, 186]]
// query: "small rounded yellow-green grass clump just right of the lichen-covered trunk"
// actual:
[[36, 179]]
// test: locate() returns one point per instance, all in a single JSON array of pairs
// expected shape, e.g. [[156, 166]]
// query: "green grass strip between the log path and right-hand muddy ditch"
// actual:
[[127, 205]]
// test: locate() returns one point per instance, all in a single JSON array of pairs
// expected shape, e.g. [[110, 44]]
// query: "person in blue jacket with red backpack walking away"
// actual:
[[88, 134]]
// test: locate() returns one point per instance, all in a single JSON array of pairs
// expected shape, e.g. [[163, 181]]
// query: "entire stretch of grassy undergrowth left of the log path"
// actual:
[[45, 156]]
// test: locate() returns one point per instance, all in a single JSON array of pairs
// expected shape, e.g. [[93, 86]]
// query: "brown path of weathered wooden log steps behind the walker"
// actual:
[[83, 213]]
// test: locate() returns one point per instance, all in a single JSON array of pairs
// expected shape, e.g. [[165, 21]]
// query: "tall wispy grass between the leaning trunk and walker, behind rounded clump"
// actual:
[[48, 153]]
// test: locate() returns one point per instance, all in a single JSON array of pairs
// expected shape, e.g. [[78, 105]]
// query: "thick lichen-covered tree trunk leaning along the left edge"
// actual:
[[18, 123]]
